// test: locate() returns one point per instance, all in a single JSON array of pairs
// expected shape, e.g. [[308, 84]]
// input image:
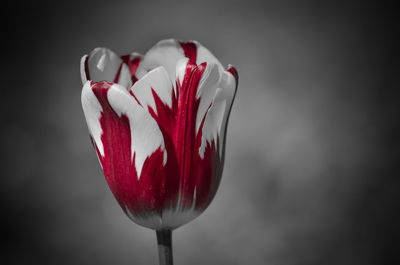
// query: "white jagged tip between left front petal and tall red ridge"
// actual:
[[156, 81]]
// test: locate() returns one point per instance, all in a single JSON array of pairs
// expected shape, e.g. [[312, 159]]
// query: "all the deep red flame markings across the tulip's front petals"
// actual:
[[186, 178]]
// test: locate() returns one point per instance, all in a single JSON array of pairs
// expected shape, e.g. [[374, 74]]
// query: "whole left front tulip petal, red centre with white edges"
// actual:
[[130, 148]]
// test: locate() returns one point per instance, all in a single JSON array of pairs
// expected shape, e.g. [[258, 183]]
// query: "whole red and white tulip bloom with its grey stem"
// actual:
[[158, 124]]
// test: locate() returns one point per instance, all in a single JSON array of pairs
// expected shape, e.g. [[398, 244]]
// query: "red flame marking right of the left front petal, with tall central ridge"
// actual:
[[178, 126]]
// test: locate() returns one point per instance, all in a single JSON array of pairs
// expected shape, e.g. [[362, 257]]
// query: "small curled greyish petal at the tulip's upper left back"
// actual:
[[102, 64]]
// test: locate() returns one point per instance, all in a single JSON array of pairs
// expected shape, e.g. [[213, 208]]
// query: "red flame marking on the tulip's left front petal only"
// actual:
[[150, 193]]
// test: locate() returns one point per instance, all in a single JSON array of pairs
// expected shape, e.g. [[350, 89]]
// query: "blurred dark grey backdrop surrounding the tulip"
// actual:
[[310, 174]]
